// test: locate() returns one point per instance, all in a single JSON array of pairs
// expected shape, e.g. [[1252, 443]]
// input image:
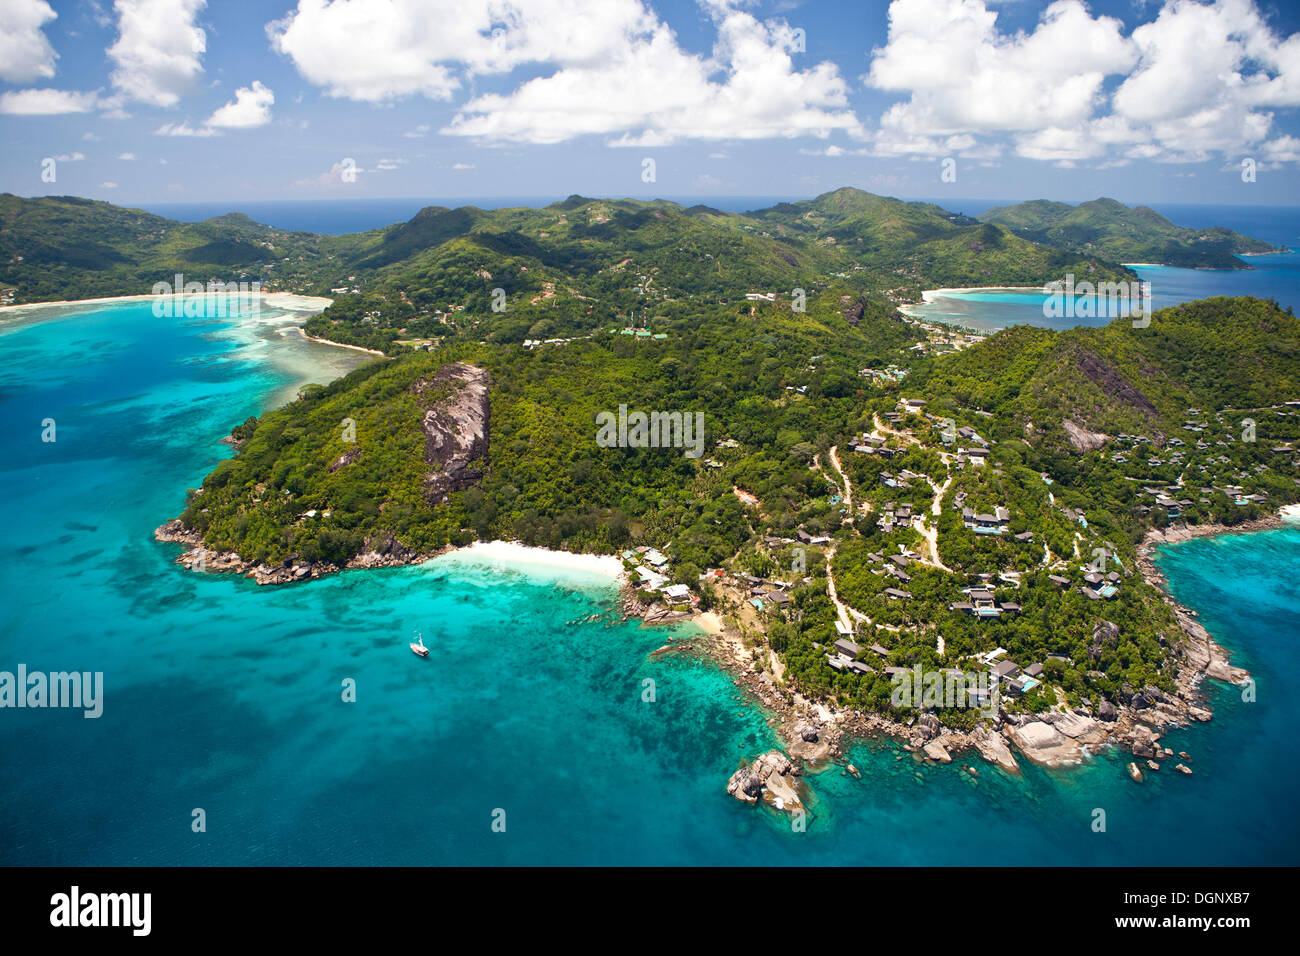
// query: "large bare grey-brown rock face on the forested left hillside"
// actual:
[[456, 427]]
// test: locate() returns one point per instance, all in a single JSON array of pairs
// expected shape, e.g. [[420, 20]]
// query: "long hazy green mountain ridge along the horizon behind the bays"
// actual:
[[67, 248]]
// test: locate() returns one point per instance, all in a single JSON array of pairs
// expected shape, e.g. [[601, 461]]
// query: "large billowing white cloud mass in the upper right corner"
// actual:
[[1197, 81]]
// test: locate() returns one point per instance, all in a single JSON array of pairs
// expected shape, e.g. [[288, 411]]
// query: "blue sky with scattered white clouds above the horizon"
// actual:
[[250, 101]]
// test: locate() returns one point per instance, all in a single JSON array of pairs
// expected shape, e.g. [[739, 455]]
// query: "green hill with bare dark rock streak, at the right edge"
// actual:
[[1219, 353]]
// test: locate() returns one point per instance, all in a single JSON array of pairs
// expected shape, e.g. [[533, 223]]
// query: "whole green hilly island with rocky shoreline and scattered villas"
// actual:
[[886, 527]]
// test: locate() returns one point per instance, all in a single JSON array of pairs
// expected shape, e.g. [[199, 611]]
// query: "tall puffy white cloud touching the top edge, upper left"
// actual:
[[159, 50]]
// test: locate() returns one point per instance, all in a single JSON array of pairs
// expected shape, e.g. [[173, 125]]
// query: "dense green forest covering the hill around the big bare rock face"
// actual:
[[549, 483]]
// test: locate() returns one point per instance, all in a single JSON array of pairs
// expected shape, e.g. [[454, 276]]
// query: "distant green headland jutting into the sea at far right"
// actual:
[[1119, 233]]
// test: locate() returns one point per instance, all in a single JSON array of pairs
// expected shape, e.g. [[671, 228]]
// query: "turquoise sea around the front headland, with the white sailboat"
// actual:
[[228, 698]]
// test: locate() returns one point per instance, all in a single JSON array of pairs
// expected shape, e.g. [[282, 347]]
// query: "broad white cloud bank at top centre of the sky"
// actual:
[[617, 68]]
